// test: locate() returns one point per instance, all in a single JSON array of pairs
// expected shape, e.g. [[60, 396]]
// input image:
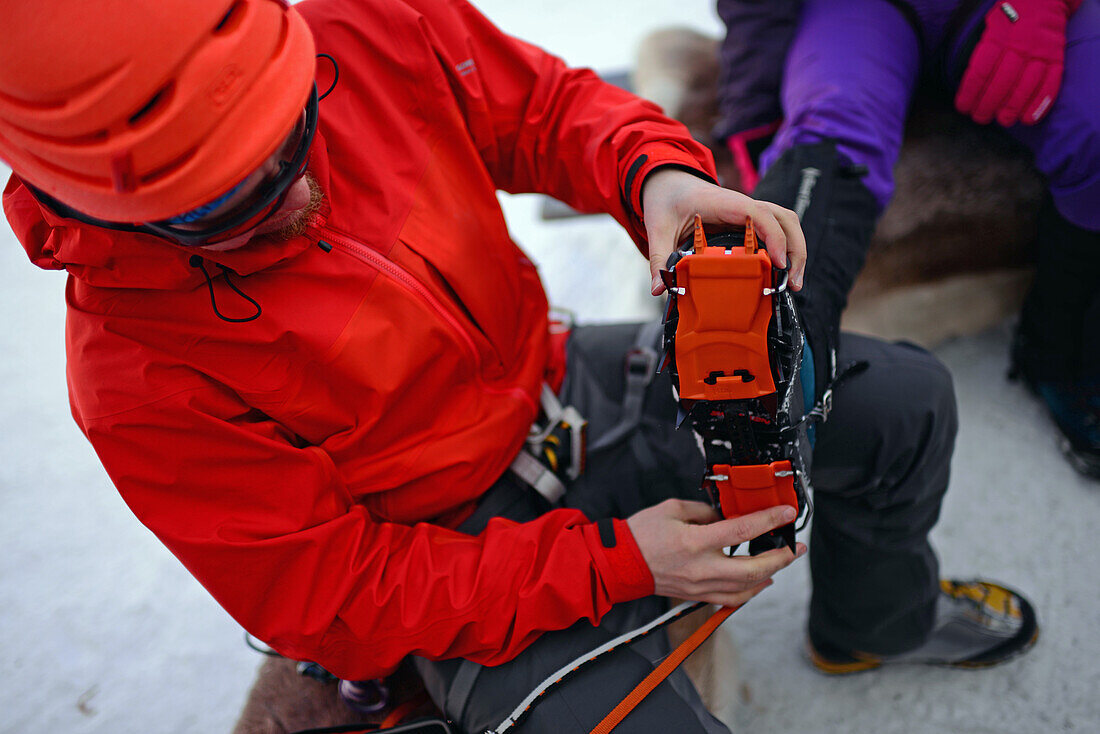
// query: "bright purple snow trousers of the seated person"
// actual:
[[852, 70]]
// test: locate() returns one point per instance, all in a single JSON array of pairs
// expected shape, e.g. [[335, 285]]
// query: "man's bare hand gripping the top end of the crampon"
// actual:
[[672, 199]]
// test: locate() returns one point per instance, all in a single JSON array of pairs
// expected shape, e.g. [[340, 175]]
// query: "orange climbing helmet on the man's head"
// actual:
[[138, 111]]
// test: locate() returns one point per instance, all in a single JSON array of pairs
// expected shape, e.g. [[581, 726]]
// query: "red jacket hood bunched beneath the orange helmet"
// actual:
[[113, 259]]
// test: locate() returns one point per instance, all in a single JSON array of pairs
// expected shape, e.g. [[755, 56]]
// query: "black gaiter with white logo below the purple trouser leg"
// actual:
[[839, 216]]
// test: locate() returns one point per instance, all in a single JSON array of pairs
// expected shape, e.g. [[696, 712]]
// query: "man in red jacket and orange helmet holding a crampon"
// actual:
[[307, 352]]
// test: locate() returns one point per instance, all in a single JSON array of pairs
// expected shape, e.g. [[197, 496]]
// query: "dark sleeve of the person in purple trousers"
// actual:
[[754, 53]]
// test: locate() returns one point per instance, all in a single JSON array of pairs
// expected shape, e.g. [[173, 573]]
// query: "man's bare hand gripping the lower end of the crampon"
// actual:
[[683, 545]]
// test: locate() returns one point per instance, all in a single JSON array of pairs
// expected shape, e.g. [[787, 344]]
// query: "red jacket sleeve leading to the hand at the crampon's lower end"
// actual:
[[267, 524]]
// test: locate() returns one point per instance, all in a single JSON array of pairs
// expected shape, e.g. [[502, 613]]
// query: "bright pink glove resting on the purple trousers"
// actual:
[[1016, 70]]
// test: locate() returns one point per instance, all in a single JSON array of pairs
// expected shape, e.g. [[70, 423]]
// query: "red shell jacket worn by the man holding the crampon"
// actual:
[[306, 466]]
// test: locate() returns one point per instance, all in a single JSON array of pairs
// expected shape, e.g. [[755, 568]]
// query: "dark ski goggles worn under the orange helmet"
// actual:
[[217, 222]]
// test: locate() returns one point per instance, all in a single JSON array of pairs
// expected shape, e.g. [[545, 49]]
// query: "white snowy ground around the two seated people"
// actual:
[[103, 632]]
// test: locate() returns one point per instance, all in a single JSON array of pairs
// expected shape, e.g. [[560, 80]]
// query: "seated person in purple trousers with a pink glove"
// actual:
[[818, 94]]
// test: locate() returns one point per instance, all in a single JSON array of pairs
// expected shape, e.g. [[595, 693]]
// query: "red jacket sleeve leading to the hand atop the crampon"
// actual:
[[543, 127]]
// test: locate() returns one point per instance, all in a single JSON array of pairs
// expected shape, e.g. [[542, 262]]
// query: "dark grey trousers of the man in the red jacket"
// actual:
[[881, 470]]
